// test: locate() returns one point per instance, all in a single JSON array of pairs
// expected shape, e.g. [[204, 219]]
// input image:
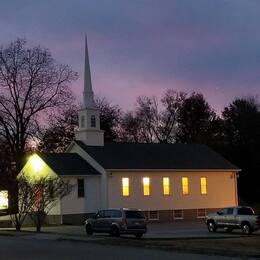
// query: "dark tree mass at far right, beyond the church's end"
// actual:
[[241, 144]]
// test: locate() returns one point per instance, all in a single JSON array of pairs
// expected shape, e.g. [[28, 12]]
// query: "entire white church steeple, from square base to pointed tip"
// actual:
[[89, 116]]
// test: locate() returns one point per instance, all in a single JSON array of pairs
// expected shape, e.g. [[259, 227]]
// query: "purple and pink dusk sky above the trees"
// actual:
[[144, 47]]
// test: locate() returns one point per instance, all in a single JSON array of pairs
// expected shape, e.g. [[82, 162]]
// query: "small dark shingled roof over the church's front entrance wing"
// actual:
[[68, 164]]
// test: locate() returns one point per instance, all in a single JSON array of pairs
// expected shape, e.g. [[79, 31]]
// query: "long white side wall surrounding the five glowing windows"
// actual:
[[221, 187]]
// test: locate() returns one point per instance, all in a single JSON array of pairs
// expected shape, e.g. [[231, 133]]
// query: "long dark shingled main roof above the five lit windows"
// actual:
[[157, 156]]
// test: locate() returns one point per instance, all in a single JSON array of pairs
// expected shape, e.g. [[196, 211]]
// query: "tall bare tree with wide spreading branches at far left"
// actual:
[[31, 82]]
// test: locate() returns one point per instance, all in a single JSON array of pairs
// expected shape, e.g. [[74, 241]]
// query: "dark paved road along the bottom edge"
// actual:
[[26, 248]]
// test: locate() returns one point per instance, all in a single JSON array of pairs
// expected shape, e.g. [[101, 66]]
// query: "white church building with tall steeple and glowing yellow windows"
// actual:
[[168, 182]]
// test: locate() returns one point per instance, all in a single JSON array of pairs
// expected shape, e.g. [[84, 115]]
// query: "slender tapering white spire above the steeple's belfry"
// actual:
[[88, 95]]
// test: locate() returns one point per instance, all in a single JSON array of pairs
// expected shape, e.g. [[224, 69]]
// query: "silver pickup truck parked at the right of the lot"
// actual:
[[234, 218]]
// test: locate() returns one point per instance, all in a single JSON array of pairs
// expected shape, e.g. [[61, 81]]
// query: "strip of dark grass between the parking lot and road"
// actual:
[[245, 246]]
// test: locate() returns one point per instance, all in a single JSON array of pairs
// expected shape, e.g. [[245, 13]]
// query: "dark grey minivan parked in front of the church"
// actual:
[[117, 221]]
